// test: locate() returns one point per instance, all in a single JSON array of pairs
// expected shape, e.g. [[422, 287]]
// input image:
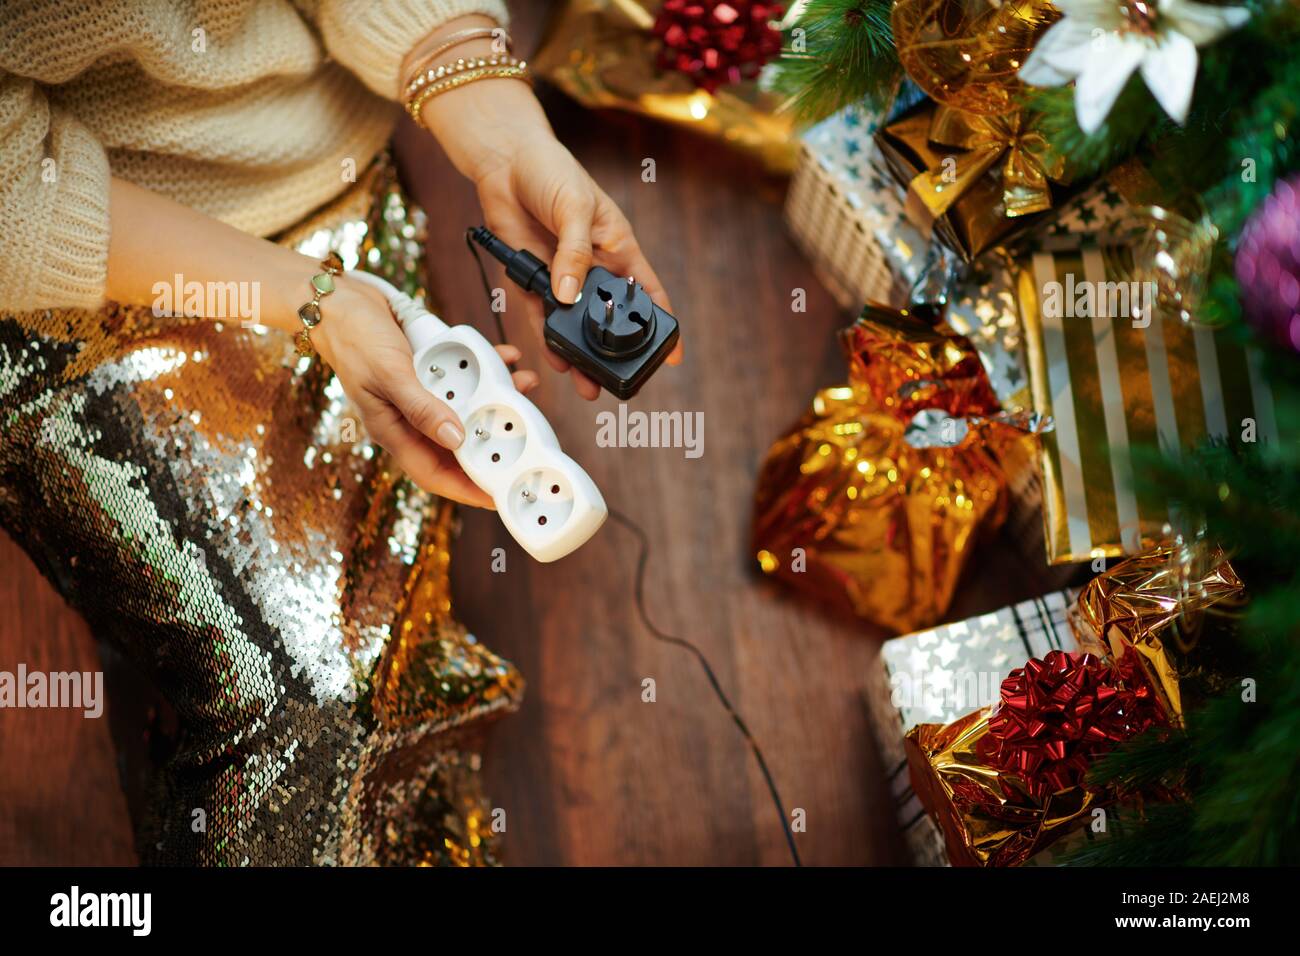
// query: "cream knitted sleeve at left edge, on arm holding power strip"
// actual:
[[54, 205]]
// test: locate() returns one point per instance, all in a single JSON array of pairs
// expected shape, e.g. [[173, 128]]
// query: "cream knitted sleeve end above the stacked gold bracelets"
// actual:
[[372, 37]]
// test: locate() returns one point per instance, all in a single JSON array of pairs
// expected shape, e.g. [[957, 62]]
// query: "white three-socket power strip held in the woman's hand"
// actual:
[[545, 499]]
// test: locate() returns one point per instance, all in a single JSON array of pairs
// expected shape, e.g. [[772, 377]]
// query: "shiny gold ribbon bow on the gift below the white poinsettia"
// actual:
[[986, 140]]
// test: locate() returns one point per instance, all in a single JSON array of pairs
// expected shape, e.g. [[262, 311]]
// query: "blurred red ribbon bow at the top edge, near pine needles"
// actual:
[[717, 42]]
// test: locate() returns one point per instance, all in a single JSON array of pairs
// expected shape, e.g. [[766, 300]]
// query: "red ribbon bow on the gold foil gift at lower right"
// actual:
[[1056, 716]]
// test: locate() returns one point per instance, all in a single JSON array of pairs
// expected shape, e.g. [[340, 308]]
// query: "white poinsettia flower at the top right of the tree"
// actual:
[[1099, 44]]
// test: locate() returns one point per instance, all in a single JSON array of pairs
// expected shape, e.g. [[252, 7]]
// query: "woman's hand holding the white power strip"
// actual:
[[363, 344]]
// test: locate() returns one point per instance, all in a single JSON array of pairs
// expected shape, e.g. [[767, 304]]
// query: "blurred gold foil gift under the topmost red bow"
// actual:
[[605, 54]]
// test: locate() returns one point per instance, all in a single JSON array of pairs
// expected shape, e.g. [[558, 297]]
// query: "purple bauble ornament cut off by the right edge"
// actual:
[[1268, 266]]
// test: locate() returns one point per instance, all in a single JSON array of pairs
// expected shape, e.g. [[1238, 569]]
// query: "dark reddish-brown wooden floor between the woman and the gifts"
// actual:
[[587, 772]]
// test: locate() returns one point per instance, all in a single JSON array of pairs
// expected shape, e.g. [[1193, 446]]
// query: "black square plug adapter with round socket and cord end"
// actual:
[[613, 334]]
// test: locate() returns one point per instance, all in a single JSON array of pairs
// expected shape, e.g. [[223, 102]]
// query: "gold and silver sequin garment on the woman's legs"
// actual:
[[213, 505]]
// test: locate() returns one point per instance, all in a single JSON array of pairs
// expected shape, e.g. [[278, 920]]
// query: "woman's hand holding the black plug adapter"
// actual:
[[536, 196]]
